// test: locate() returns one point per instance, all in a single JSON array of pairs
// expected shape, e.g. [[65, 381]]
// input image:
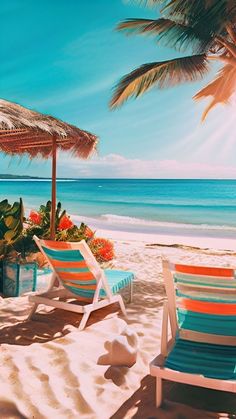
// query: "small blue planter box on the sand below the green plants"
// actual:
[[18, 278]]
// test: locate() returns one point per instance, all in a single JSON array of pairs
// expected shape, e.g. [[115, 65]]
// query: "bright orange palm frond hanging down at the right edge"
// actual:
[[221, 88]]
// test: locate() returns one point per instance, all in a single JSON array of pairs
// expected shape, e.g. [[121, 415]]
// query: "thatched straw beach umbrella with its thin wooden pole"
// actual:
[[23, 131]]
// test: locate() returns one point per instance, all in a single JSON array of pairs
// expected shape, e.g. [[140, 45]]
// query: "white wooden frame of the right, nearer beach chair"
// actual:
[[157, 368]]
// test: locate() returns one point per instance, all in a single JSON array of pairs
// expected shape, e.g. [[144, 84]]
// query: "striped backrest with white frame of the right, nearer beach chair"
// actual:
[[201, 302]]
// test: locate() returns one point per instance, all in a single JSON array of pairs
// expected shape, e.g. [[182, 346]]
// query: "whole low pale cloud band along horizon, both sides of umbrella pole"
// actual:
[[118, 166]]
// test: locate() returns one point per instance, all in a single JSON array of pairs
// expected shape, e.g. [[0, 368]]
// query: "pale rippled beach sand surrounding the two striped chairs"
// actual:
[[50, 370]]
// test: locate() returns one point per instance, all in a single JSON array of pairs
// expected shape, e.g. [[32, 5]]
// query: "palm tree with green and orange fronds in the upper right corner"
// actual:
[[206, 28]]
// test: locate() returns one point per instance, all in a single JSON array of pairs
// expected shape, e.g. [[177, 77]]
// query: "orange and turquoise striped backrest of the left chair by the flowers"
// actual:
[[74, 265]]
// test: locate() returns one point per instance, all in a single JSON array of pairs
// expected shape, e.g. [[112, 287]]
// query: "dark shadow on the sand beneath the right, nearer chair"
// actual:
[[180, 402]]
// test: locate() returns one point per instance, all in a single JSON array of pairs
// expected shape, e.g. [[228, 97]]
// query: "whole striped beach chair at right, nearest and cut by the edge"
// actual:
[[201, 311]]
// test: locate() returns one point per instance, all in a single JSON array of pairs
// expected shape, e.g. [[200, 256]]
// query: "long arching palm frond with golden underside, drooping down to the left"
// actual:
[[159, 74]]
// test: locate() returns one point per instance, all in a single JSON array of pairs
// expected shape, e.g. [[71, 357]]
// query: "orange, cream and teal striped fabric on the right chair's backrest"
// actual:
[[206, 300]]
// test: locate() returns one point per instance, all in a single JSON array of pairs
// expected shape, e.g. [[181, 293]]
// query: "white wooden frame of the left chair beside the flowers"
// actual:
[[48, 297]]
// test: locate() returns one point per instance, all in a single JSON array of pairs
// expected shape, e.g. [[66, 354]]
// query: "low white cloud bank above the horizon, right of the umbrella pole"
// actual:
[[115, 165]]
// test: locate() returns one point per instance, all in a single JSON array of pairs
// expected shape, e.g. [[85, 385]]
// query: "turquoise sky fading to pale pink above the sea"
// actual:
[[64, 57]]
